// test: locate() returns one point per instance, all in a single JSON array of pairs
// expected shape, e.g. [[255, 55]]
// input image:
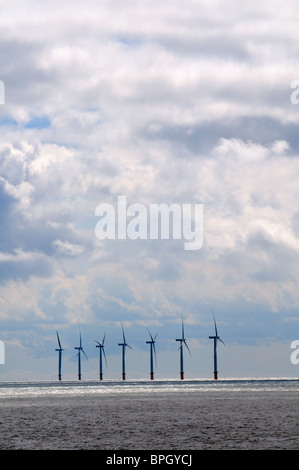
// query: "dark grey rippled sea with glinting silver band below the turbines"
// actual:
[[161, 415]]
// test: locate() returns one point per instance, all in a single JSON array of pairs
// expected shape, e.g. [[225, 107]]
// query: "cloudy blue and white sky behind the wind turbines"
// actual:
[[161, 102]]
